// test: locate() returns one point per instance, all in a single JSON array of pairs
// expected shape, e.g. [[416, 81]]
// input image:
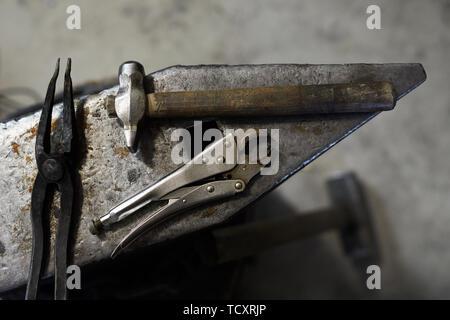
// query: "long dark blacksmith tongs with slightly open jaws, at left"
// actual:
[[54, 169]]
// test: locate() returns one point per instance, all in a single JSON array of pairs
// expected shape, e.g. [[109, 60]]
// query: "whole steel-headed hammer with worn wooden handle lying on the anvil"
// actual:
[[132, 101]]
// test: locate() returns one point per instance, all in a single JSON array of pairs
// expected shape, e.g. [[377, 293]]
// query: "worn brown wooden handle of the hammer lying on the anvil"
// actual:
[[273, 101]]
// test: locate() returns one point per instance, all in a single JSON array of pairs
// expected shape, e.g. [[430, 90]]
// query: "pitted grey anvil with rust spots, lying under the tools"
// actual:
[[109, 173]]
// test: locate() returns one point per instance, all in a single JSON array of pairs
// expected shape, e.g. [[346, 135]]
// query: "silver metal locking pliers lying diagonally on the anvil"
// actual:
[[205, 178]]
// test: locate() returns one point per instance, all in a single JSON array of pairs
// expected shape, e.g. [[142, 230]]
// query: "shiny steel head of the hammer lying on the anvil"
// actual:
[[130, 102]]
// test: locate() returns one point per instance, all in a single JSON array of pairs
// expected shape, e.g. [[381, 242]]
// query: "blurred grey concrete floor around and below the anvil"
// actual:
[[401, 156]]
